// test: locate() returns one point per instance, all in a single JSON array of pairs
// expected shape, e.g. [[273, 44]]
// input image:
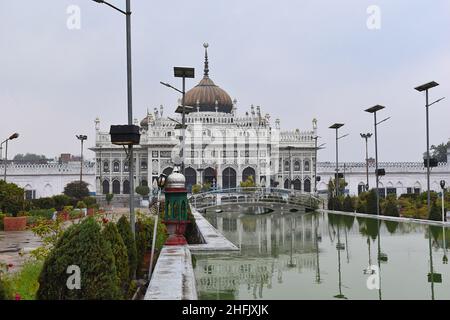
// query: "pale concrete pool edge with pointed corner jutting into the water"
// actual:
[[173, 277]]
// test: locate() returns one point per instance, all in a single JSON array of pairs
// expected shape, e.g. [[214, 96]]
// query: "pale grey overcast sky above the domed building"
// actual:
[[297, 59]]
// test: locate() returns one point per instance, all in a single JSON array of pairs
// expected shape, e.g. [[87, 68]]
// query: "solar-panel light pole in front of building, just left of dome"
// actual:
[[182, 72]]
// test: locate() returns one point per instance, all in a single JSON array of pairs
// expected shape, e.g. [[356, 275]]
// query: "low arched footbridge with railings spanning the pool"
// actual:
[[252, 195]]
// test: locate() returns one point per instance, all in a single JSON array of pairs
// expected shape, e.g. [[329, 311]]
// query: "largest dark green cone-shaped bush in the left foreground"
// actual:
[[81, 245]]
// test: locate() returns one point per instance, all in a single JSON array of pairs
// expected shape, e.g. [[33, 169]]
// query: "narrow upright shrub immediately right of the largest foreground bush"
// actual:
[[119, 250]]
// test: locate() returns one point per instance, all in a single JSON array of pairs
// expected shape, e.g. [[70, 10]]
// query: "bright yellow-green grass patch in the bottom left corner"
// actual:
[[25, 282]]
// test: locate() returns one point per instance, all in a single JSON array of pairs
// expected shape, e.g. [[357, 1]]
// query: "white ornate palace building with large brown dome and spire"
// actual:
[[222, 147]]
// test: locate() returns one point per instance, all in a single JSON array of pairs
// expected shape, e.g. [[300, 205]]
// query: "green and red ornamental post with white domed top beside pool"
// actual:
[[176, 208]]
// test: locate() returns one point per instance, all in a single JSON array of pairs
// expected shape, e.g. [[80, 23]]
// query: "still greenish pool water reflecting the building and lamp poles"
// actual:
[[288, 255]]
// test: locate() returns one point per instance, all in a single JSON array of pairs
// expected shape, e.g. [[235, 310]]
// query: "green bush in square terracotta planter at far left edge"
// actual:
[[11, 202]]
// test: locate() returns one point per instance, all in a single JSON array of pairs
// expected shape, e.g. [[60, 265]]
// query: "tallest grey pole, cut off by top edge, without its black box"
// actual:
[[127, 13]]
